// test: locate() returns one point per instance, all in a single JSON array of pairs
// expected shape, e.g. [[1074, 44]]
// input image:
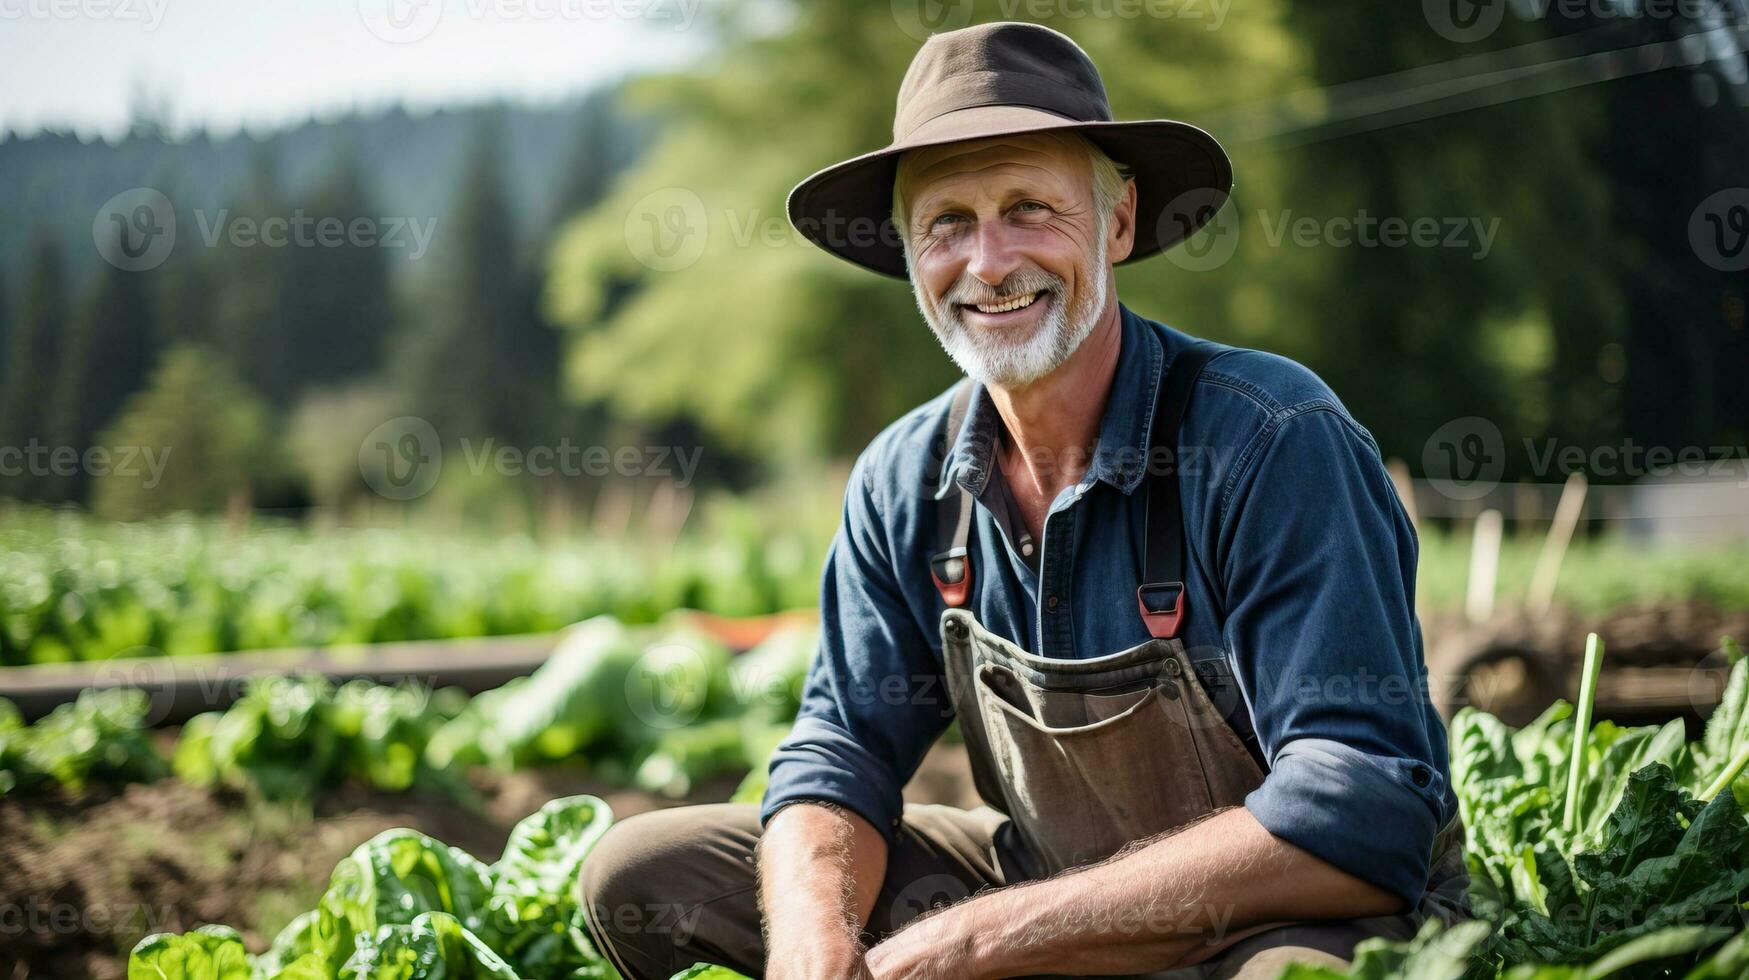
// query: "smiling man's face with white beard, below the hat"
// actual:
[[1008, 256]]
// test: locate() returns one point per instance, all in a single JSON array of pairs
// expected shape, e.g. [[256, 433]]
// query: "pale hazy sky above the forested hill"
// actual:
[[267, 62]]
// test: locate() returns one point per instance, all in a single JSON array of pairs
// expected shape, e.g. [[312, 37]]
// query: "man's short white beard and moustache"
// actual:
[[993, 358]]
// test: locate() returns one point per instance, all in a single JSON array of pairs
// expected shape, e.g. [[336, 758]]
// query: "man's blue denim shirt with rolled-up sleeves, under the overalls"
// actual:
[[1300, 573]]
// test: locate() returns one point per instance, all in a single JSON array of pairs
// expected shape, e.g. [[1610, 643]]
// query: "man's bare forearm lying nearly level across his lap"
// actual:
[[1169, 904]]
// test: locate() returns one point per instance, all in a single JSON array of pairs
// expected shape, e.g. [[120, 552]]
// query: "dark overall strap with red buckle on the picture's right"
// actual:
[[1162, 591]]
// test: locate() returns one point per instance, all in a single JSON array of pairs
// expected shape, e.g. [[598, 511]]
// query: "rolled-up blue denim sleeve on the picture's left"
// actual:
[[874, 701]]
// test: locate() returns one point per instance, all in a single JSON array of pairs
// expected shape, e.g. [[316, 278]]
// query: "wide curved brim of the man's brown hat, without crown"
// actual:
[[1183, 178]]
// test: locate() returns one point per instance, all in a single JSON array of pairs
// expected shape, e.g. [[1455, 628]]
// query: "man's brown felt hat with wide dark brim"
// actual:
[[994, 81]]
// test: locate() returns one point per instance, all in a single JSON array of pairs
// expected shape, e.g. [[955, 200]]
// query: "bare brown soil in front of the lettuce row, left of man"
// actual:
[[85, 879]]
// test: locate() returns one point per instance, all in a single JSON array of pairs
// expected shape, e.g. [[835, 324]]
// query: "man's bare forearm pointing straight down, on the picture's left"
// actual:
[[821, 871]]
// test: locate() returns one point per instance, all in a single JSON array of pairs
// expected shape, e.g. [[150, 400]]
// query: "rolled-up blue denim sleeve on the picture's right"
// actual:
[[1318, 561]]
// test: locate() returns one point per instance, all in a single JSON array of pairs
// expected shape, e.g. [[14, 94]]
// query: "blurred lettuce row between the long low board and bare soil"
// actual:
[[660, 708]]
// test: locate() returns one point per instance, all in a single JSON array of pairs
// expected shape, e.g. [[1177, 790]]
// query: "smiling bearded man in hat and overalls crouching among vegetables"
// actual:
[[1166, 589]]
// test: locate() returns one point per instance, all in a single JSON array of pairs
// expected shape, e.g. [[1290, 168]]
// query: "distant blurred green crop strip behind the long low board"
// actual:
[[73, 589]]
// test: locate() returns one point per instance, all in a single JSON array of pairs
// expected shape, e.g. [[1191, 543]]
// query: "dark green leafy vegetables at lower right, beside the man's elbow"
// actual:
[[1594, 851]]
